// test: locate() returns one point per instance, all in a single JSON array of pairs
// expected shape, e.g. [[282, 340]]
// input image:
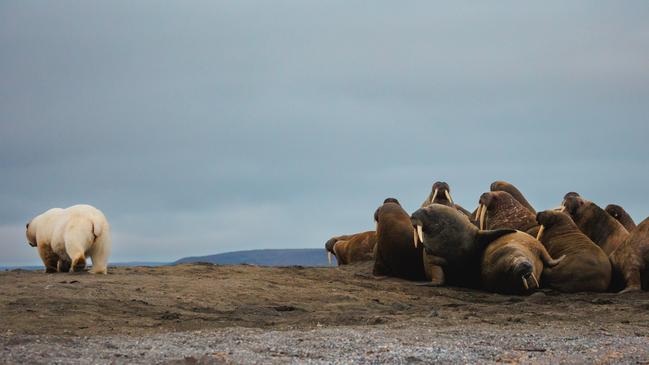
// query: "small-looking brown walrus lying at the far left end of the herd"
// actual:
[[352, 248]]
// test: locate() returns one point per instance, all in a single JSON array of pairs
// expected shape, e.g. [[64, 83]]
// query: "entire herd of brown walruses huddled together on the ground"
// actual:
[[504, 245]]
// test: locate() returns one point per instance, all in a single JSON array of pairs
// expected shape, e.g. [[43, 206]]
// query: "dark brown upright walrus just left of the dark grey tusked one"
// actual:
[[394, 253]]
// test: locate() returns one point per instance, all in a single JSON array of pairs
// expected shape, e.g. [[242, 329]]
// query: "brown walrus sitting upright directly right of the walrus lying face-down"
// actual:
[[585, 267]]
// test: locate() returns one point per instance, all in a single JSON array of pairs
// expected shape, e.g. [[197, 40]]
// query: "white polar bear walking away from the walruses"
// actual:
[[70, 235]]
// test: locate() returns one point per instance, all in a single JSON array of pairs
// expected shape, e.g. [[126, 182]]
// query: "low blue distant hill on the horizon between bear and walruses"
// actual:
[[282, 257]]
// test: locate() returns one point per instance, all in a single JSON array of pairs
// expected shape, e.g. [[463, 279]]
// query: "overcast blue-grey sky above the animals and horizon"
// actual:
[[211, 126]]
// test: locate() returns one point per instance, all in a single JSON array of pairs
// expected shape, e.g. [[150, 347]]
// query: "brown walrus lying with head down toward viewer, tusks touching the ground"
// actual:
[[513, 264]]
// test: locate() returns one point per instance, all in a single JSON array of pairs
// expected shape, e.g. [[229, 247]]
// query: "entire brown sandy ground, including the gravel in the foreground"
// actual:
[[242, 314]]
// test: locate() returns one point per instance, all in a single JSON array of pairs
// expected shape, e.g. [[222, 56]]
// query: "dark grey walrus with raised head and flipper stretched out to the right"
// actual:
[[453, 242]]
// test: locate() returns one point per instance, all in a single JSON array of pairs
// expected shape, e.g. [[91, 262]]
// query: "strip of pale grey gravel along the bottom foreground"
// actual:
[[409, 343]]
